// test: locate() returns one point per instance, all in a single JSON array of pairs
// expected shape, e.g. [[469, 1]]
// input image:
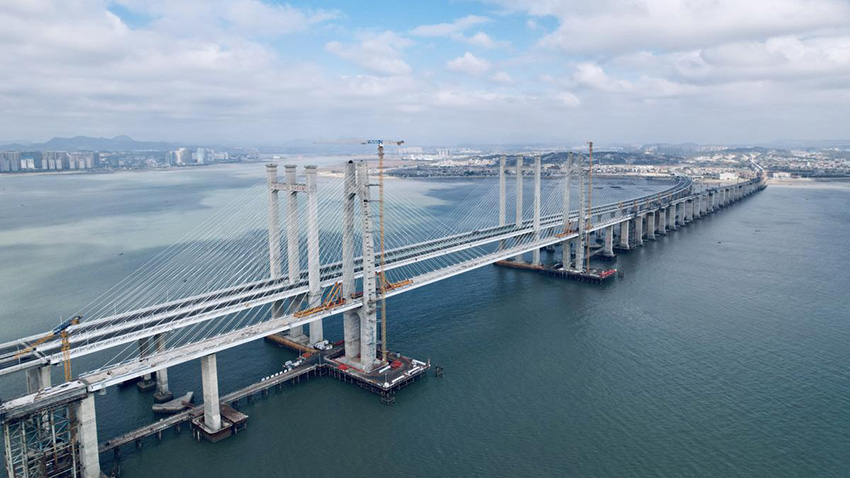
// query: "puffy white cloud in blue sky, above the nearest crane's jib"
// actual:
[[379, 53]]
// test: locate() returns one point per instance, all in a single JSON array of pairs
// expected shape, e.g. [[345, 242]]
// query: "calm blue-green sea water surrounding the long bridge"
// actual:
[[724, 351]]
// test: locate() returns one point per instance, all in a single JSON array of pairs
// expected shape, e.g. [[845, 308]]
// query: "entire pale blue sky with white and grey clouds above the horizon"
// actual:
[[431, 72]]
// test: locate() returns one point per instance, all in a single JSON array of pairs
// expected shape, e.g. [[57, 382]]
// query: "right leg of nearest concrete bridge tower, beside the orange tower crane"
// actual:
[[368, 315]]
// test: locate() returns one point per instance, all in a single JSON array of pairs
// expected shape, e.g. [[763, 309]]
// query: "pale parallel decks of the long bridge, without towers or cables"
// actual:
[[245, 298]]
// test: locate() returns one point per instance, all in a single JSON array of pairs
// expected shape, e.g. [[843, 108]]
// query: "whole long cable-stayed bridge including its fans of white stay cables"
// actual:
[[259, 269]]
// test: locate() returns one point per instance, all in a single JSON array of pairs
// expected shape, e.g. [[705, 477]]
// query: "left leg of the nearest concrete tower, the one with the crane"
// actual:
[[350, 318]]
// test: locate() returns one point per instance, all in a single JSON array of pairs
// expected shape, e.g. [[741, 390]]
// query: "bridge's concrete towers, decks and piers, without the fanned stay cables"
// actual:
[[51, 431]]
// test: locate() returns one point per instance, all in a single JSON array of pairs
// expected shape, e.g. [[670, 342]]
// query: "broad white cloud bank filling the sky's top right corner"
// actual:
[[610, 26]]
